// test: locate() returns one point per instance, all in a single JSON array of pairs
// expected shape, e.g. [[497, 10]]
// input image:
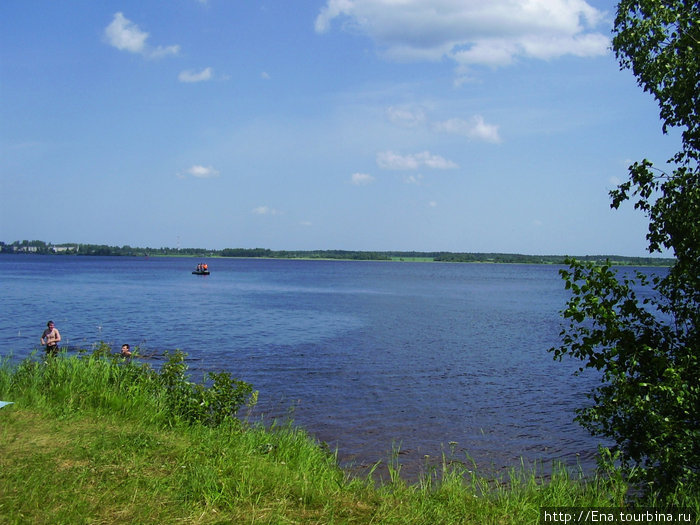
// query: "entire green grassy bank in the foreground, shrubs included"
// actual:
[[95, 439]]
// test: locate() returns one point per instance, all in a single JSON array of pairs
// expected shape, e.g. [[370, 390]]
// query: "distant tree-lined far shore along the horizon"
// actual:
[[44, 248]]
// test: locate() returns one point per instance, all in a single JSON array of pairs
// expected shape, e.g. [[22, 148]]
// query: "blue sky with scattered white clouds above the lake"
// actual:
[[455, 125]]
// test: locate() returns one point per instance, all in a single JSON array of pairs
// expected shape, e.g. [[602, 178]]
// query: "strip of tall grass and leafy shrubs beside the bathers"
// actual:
[[106, 381]]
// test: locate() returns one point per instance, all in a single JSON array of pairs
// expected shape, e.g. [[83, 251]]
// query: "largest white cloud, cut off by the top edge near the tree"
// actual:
[[492, 33]]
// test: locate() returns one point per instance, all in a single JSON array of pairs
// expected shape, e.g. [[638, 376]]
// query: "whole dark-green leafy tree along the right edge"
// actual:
[[647, 344]]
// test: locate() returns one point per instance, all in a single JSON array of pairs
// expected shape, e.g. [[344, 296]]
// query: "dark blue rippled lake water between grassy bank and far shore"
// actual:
[[366, 356]]
